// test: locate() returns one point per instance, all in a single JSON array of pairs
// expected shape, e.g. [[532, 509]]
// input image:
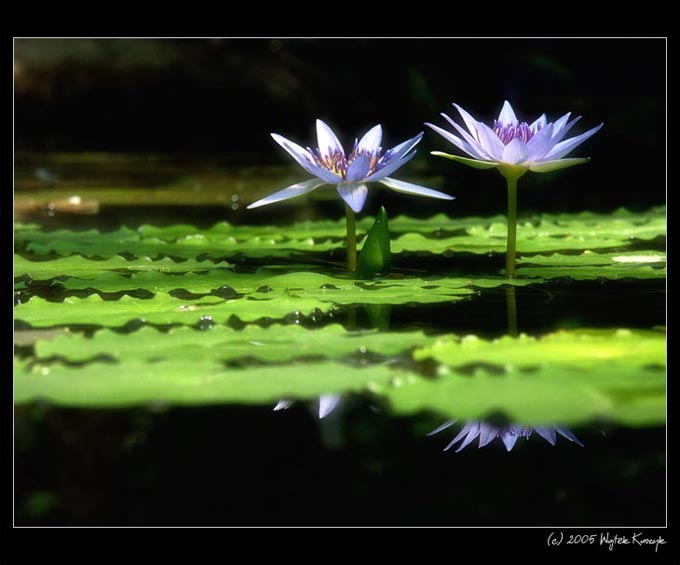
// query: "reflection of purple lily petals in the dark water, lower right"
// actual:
[[508, 434]]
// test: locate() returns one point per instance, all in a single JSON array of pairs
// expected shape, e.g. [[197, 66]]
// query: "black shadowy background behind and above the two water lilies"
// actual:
[[222, 98]]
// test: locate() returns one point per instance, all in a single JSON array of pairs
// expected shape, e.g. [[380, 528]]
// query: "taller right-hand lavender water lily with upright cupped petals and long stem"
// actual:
[[514, 148]]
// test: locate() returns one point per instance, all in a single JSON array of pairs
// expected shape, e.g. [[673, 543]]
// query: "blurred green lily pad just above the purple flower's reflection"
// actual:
[[552, 394]]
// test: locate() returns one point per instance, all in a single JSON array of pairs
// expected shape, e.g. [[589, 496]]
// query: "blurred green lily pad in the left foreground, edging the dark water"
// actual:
[[185, 382]]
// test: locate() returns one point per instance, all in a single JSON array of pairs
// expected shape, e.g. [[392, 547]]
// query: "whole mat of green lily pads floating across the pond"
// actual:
[[145, 316]]
